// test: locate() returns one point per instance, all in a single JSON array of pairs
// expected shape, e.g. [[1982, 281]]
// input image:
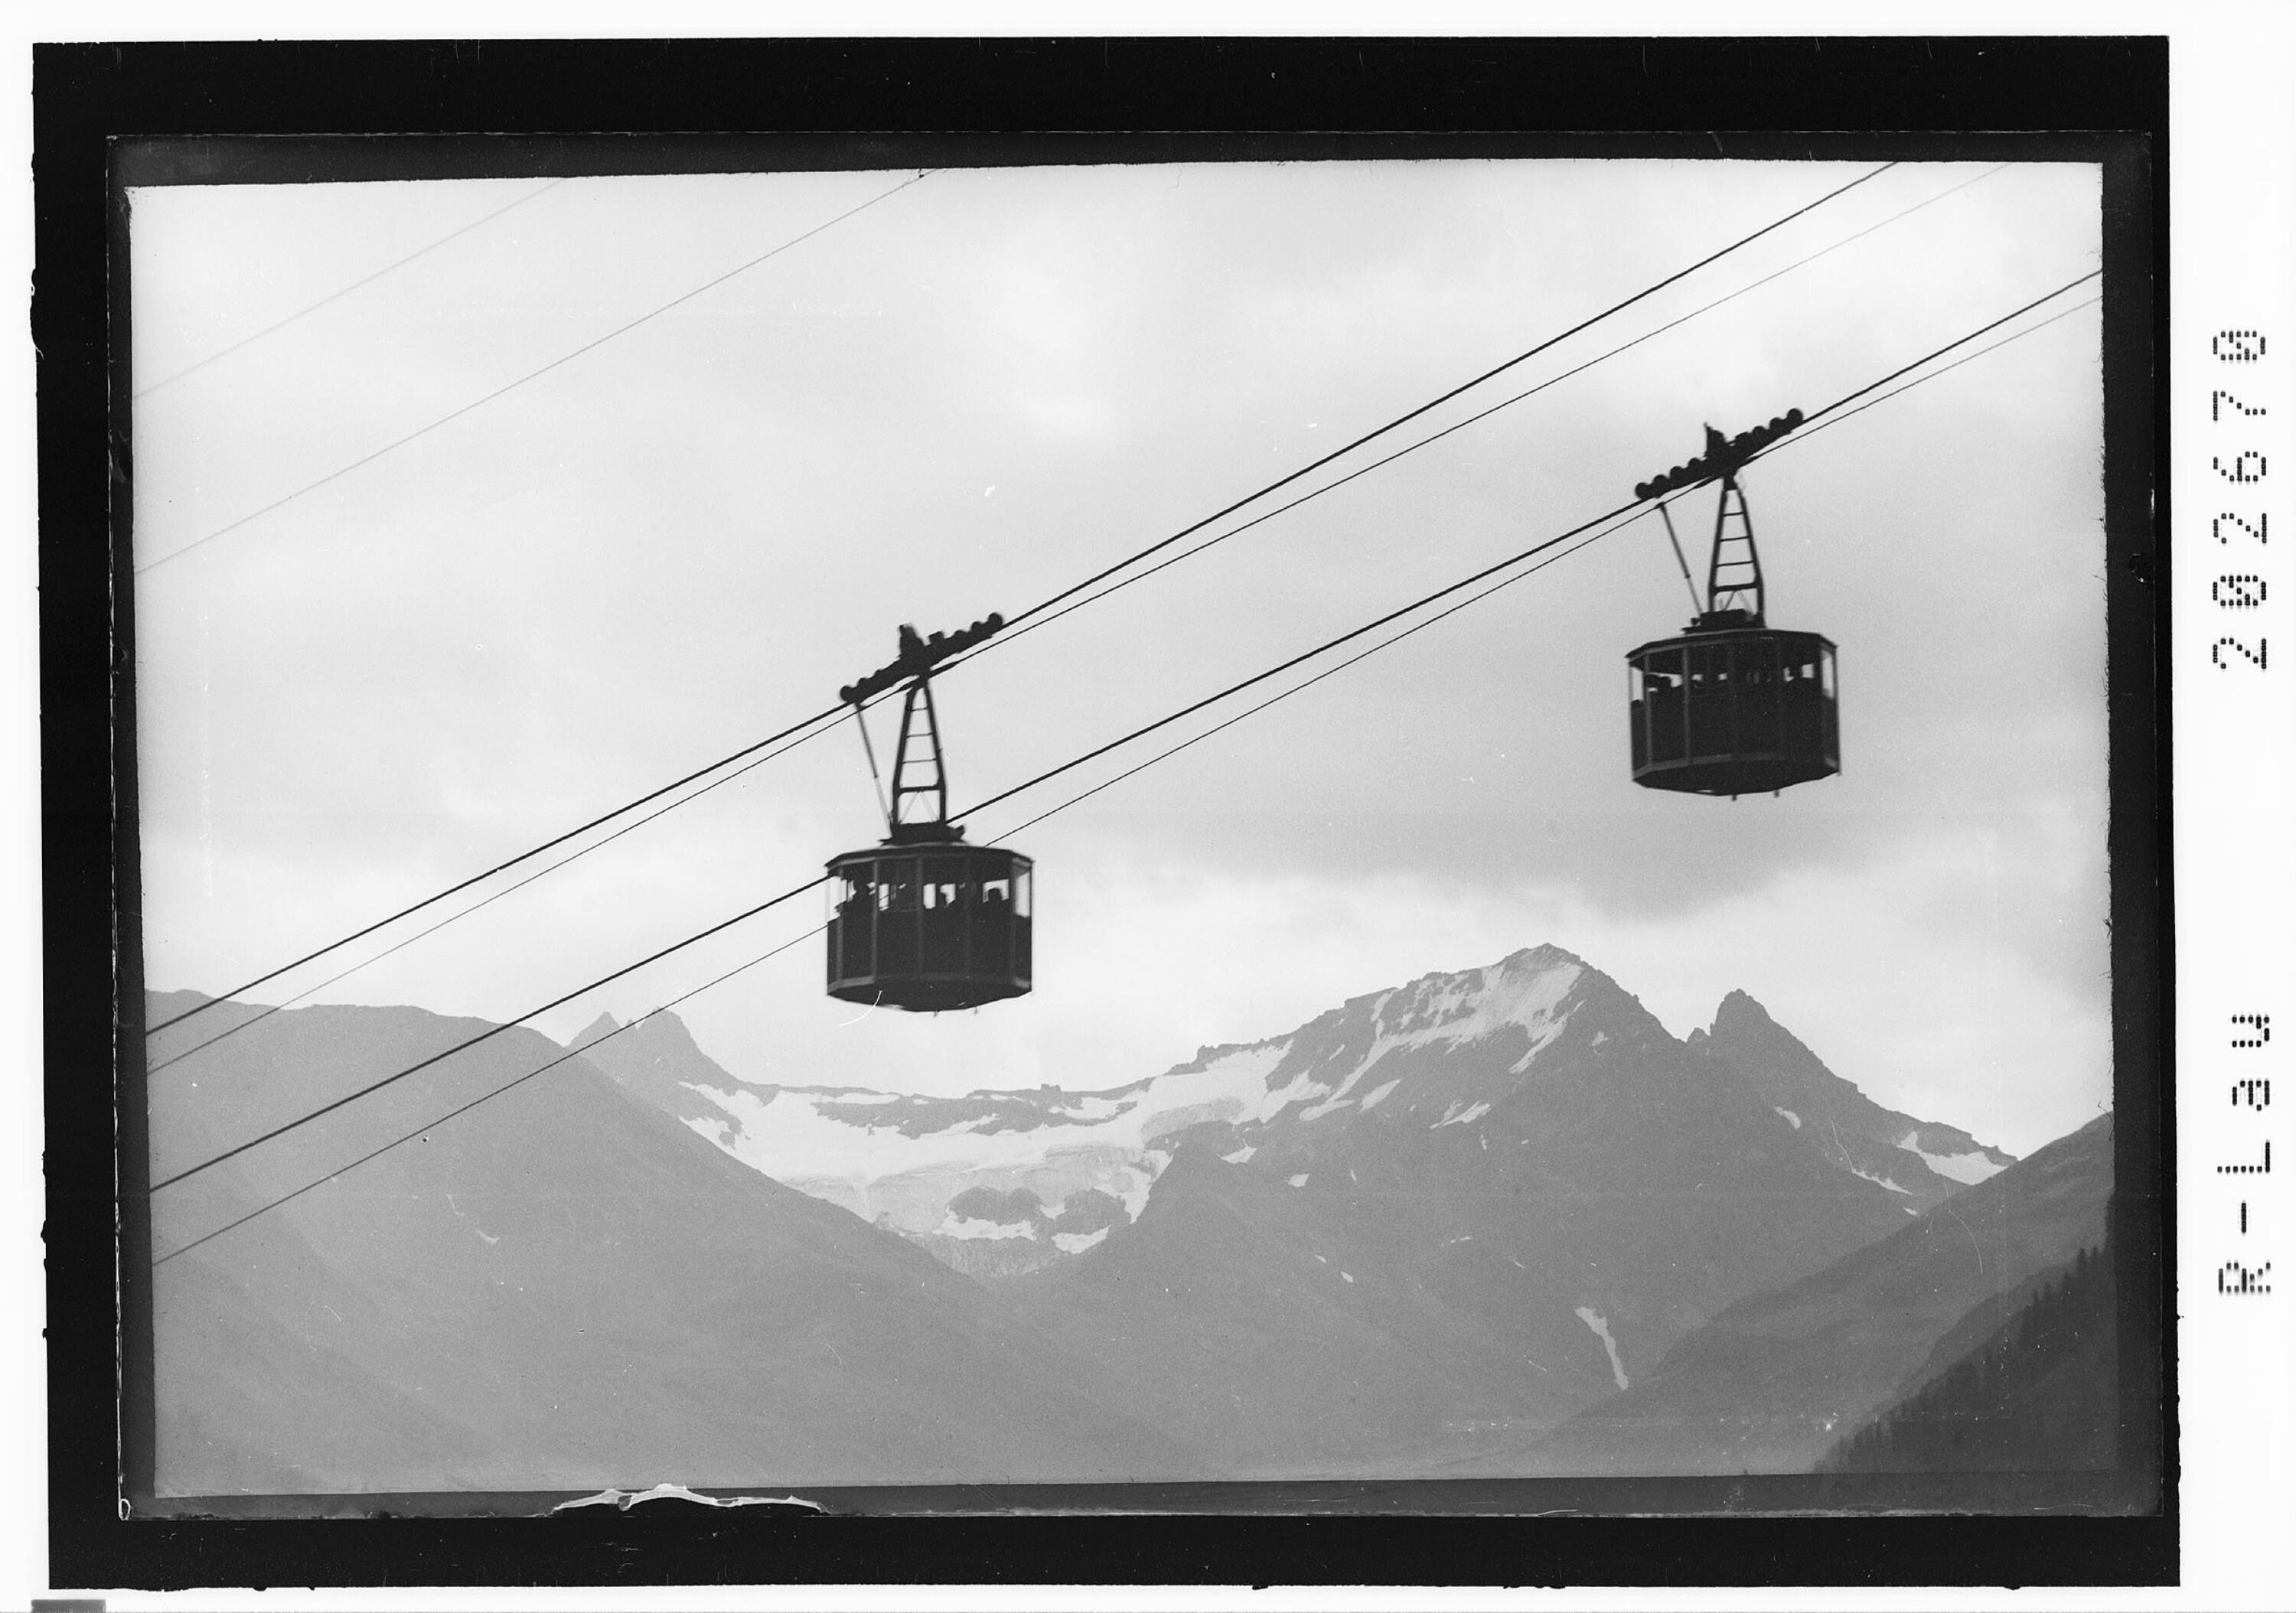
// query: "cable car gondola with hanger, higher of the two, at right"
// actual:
[[1732, 706]]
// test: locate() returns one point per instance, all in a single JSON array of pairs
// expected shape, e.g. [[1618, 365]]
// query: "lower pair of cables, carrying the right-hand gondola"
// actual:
[[1615, 522]]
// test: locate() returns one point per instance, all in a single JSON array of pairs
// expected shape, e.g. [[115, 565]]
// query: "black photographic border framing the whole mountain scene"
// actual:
[[187, 114]]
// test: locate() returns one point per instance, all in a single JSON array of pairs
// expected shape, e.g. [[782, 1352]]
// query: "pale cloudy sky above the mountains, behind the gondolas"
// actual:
[[986, 387]]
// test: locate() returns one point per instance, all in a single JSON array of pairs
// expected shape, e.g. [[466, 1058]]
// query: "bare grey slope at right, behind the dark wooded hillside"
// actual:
[[1776, 1380]]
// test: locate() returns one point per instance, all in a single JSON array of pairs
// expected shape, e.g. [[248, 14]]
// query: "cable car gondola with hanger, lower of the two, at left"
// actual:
[[924, 921]]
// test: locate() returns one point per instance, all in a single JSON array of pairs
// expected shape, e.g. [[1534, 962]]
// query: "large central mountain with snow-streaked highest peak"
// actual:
[[1473, 1203]]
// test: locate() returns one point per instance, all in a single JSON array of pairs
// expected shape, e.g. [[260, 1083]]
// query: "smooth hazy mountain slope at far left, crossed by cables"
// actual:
[[559, 1291]]
